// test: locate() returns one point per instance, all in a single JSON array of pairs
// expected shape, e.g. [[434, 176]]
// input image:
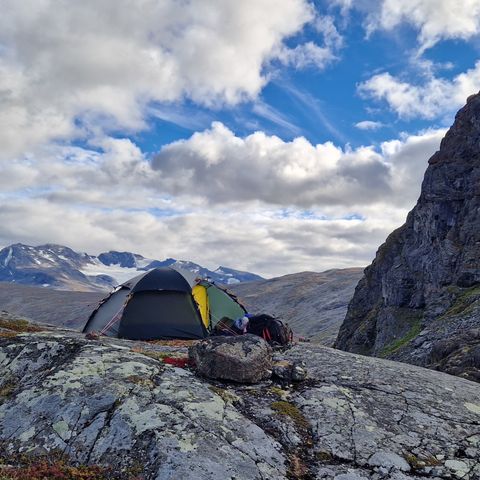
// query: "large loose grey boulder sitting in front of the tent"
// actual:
[[243, 359]]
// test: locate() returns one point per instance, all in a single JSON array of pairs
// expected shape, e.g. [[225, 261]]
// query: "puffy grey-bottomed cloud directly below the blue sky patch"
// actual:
[[222, 167]]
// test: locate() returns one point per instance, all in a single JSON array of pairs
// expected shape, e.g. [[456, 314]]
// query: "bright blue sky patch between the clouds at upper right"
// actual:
[[337, 106]]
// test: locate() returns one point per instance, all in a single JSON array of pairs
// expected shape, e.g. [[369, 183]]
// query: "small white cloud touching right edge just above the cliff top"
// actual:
[[434, 98]]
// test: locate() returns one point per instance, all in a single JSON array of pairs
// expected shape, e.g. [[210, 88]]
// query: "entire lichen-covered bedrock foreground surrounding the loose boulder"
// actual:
[[116, 402]]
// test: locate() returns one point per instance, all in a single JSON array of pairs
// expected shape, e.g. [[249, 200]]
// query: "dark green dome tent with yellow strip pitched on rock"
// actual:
[[163, 303]]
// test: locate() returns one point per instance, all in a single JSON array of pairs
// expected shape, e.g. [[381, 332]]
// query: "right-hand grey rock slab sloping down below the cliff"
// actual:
[[378, 414]]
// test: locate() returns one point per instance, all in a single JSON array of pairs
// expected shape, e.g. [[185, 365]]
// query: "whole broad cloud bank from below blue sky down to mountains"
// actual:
[[218, 198]]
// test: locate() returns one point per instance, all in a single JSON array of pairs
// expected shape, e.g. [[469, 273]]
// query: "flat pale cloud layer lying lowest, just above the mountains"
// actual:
[[232, 238]]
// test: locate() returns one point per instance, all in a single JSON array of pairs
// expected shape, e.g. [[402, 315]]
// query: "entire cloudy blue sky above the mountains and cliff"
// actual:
[[273, 136]]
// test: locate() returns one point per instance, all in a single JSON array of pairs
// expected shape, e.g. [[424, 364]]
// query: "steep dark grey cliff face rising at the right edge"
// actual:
[[426, 276]]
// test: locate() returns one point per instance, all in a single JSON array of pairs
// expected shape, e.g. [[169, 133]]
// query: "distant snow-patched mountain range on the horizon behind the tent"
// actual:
[[62, 268]]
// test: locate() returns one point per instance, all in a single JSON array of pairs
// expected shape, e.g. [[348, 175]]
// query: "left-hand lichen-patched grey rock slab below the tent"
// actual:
[[105, 405]]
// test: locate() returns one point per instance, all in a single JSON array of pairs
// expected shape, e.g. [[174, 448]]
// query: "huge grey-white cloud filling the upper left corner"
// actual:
[[67, 68]]
